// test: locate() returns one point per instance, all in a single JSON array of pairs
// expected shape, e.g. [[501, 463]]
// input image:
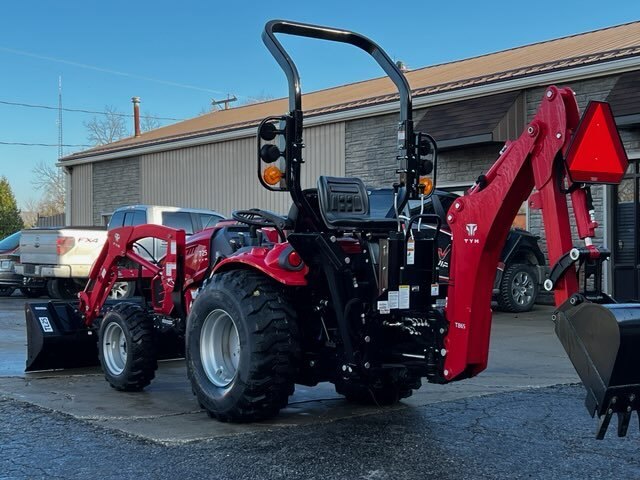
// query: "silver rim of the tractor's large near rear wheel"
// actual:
[[220, 348]]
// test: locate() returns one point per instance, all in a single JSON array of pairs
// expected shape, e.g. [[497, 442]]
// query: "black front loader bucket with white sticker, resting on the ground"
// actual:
[[58, 338]]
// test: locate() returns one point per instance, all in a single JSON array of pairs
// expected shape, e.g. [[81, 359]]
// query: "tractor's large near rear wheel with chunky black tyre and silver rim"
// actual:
[[242, 350]]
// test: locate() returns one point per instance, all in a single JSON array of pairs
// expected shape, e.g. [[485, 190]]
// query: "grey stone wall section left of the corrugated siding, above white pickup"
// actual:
[[115, 183]]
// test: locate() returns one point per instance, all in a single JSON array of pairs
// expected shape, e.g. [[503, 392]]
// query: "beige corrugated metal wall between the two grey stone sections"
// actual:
[[222, 176]]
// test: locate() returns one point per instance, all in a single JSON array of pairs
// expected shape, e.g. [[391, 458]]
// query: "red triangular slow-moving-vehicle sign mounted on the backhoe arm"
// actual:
[[596, 154]]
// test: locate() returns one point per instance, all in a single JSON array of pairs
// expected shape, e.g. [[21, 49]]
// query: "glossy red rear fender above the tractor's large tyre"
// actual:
[[272, 261]]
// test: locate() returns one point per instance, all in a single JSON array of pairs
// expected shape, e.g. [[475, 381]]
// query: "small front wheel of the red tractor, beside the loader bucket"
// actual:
[[126, 348]]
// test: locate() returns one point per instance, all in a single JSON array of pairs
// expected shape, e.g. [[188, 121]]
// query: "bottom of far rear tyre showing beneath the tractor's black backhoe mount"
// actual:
[[381, 392]]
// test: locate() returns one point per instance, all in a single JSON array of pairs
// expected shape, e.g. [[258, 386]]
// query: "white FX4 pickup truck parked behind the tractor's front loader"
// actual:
[[64, 256]]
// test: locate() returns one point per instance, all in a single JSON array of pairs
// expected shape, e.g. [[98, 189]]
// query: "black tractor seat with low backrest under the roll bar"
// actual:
[[344, 205]]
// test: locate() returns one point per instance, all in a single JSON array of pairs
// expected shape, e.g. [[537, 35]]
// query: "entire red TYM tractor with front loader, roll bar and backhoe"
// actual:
[[333, 293]]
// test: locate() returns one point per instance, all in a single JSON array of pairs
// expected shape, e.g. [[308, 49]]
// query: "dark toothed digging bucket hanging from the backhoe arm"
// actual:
[[603, 343]]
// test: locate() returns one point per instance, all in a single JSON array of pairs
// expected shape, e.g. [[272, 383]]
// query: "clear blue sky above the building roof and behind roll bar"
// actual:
[[176, 56]]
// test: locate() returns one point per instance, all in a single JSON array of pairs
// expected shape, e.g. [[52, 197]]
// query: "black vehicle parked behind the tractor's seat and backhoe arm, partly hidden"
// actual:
[[522, 268]]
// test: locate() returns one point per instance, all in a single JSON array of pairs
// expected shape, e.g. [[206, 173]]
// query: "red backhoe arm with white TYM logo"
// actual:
[[480, 222]]
